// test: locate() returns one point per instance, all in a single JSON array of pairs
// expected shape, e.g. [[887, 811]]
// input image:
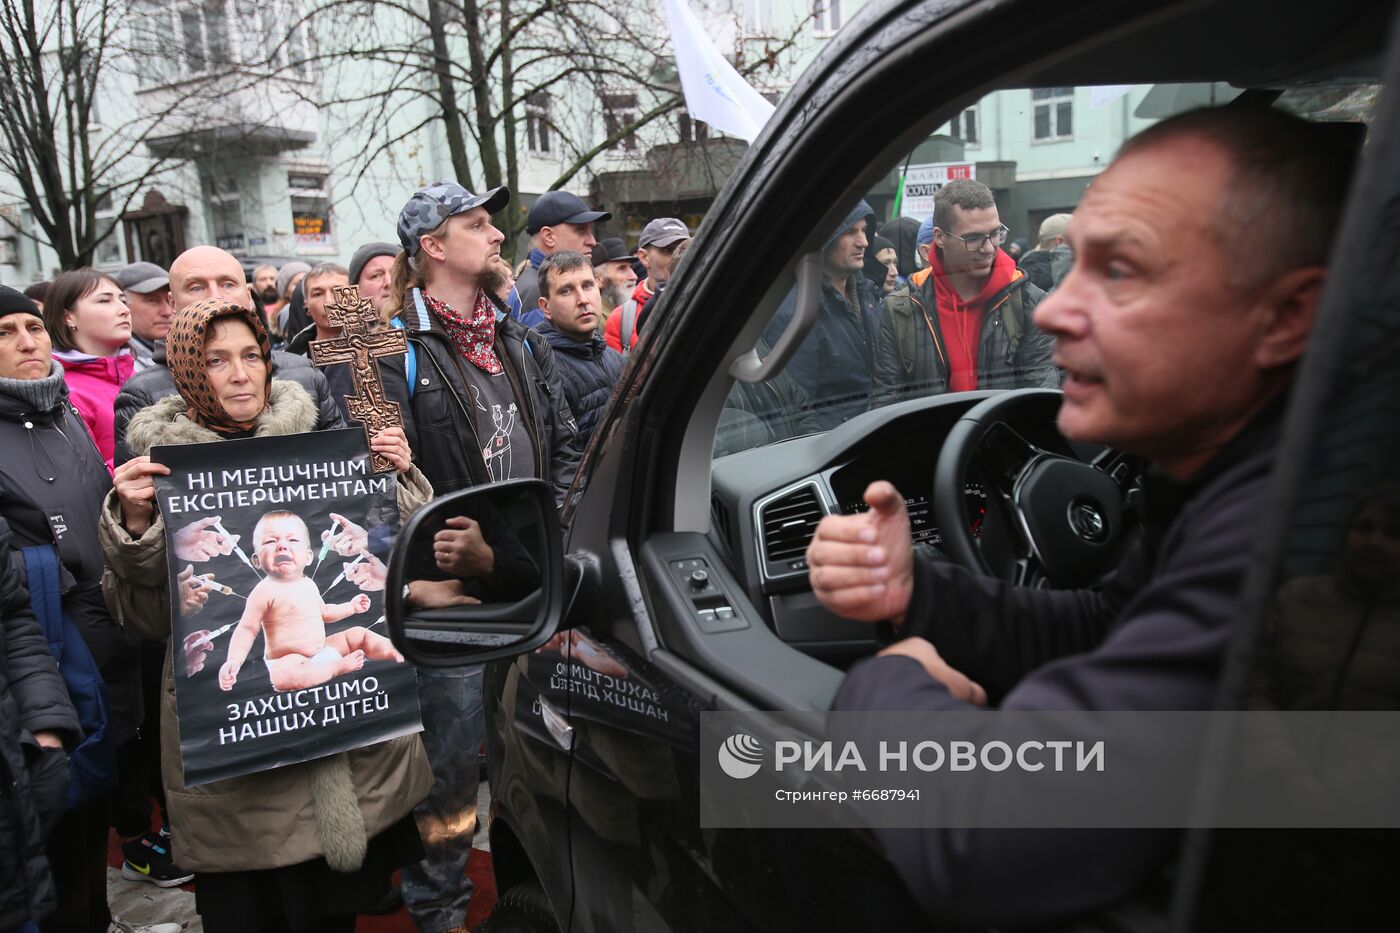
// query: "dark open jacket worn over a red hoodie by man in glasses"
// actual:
[[1003, 362]]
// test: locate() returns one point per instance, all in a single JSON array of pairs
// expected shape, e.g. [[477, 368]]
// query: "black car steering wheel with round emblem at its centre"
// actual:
[[1062, 516]]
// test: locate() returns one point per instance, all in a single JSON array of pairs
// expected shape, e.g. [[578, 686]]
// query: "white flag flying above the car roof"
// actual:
[[716, 93]]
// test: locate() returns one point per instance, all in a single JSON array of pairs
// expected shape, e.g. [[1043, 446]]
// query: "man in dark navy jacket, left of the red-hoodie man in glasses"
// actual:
[[835, 365]]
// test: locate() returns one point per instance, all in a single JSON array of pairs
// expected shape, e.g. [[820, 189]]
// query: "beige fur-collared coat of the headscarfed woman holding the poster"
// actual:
[[328, 808]]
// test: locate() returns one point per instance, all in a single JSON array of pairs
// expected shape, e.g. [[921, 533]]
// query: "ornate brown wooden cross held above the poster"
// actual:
[[360, 347]]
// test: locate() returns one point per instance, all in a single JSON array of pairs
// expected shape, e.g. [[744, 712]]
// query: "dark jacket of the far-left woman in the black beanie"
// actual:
[[55, 470]]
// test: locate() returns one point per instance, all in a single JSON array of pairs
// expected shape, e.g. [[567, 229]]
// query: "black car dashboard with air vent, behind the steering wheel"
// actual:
[[768, 502]]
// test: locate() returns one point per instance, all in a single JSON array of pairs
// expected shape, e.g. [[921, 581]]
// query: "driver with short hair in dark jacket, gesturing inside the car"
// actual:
[[1175, 350]]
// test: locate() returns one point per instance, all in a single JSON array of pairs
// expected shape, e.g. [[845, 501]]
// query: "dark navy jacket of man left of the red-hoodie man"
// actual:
[[836, 362]]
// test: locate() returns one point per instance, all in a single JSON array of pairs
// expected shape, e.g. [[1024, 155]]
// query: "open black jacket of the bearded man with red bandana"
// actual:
[[449, 450]]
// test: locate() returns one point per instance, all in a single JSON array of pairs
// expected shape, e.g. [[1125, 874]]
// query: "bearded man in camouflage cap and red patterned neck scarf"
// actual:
[[488, 404]]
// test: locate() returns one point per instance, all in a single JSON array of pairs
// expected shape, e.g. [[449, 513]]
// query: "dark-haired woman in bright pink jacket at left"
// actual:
[[90, 327]]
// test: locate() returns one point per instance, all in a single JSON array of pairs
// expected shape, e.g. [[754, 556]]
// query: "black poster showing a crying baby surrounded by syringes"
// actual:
[[278, 554]]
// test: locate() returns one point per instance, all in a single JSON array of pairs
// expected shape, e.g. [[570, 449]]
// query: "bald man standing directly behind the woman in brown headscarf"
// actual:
[[209, 272]]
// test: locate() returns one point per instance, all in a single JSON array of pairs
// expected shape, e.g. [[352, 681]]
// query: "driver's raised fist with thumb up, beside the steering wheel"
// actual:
[[863, 567]]
